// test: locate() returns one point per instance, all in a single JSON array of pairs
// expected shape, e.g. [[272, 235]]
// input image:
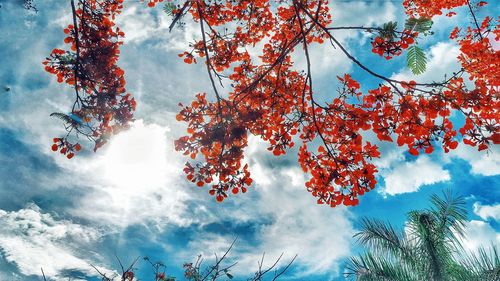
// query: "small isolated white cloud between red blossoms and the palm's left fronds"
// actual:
[[410, 176]]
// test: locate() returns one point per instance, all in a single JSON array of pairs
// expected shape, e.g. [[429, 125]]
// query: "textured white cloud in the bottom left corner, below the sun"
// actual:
[[32, 240]]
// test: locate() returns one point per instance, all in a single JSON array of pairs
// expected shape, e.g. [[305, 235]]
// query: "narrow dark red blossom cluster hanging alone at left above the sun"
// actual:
[[102, 106]]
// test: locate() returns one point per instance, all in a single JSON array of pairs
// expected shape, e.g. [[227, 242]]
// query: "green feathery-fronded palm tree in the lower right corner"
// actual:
[[429, 248]]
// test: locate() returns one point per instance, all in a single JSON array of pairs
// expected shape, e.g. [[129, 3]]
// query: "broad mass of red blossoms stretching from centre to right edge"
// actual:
[[272, 100]]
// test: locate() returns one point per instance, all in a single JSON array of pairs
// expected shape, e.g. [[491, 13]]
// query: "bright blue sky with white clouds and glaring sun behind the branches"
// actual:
[[130, 199]]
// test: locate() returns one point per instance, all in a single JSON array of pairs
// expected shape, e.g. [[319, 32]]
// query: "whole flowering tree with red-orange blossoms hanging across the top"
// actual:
[[273, 100]]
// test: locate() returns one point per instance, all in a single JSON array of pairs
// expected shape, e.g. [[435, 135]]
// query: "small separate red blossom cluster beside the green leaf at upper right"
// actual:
[[388, 47]]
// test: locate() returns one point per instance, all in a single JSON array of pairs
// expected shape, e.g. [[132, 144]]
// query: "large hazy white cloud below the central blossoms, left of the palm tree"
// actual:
[[288, 221]]
